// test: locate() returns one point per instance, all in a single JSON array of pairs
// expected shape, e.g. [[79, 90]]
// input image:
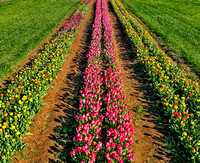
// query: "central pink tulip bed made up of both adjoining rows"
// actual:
[[104, 131]]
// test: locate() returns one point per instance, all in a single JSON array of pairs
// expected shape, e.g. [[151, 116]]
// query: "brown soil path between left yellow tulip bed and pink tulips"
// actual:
[[42, 146]]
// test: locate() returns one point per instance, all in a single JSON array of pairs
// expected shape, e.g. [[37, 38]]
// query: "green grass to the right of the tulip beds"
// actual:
[[175, 22]]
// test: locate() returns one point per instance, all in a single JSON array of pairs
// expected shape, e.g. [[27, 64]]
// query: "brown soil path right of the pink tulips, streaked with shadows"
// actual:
[[149, 146]]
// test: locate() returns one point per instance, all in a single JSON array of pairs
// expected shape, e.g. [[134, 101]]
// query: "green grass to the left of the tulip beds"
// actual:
[[26, 23]]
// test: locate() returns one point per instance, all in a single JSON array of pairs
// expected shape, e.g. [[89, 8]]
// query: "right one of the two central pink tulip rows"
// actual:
[[120, 132]]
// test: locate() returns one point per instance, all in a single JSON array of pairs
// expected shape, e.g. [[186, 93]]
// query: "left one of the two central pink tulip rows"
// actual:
[[88, 139]]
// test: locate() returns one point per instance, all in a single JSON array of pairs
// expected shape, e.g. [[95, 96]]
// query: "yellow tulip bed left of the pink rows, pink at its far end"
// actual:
[[21, 99]]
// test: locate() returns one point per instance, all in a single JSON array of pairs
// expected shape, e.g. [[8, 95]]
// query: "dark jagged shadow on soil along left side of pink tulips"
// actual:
[[70, 99]]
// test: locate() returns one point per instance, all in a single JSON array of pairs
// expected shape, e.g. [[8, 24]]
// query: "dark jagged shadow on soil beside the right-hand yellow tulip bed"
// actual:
[[173, 148]]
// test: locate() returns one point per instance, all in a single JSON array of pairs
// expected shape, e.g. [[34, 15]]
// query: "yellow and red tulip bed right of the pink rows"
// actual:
[[179, 95]]
